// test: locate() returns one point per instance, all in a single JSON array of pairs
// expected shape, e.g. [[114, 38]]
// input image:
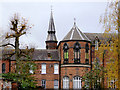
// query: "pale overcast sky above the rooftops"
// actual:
[[87, 16]]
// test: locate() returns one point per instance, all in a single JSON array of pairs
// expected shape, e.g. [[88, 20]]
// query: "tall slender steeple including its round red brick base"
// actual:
[[51, 42]]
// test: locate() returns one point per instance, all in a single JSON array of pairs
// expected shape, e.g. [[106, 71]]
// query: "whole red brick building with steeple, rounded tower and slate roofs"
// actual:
[[61, 65]]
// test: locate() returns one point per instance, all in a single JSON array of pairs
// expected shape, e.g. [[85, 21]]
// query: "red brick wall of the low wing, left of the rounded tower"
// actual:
[[49, 76]]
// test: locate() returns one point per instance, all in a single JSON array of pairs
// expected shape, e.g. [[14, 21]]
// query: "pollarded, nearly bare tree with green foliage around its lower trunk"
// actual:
[[19, 27]]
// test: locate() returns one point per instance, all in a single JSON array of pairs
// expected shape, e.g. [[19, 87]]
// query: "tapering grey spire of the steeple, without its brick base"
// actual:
[[51, 30]]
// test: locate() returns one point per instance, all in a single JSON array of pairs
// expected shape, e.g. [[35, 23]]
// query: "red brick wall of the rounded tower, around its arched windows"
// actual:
[[72, 71]]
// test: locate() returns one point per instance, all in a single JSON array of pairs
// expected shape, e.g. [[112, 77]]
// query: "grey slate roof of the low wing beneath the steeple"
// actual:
[[38, 54]]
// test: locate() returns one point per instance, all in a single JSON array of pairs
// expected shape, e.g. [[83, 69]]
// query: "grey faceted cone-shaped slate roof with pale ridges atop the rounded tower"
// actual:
[[75, 34]]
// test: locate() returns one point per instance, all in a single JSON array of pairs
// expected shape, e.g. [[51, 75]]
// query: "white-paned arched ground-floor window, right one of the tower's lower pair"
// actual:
[[77, 84]]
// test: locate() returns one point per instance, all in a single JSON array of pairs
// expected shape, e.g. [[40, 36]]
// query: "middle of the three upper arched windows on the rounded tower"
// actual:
[[77, 52]]
